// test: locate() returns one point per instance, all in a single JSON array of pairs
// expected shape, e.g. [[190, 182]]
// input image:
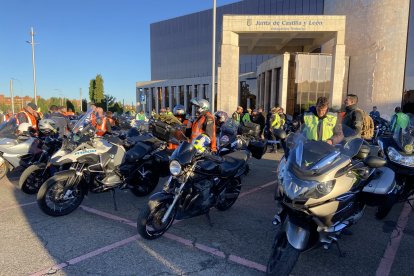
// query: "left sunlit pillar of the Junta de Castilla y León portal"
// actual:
[[227, 99]]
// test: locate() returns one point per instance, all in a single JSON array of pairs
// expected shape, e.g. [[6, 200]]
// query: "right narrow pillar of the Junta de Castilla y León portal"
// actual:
[[337, 75]]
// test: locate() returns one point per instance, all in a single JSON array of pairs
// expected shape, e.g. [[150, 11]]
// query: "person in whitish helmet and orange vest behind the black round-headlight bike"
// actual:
[[205, 123]]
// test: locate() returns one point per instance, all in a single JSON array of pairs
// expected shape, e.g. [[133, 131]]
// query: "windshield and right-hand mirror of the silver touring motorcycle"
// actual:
[[310, 155]]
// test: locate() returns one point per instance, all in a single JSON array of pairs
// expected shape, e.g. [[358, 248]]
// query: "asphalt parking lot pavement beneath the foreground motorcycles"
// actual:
[[97, 240]]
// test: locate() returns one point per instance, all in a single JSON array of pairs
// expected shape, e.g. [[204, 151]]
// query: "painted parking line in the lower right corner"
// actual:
[[387, 260]]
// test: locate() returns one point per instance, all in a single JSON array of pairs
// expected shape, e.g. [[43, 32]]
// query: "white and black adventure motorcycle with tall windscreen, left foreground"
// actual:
[[99, 164]]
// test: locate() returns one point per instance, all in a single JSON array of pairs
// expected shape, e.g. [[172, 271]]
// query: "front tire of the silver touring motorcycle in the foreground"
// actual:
[[283, 257]]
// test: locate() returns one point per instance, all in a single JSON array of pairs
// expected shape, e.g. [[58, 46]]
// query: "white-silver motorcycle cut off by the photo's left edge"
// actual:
[[17, 149]]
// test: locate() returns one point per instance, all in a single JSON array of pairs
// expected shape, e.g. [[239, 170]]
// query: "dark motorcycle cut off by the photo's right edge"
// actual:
[[398, 149]]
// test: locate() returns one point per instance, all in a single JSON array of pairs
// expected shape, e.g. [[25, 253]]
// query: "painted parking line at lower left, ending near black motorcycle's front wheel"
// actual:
[[86, 256]]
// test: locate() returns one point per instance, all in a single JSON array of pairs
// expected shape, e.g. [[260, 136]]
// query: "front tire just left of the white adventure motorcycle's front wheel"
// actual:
[[32, 179]]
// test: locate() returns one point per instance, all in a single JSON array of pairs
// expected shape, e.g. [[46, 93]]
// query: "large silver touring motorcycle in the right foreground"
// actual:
[[321, 191]]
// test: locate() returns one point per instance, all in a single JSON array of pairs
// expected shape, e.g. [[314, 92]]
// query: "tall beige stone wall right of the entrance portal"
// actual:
[[375, 39]]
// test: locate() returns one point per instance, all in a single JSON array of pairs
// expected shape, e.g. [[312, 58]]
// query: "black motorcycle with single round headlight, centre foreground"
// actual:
[[197, 183]]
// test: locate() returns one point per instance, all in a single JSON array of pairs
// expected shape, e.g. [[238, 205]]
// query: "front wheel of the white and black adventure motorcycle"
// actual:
[[49, 197]]
